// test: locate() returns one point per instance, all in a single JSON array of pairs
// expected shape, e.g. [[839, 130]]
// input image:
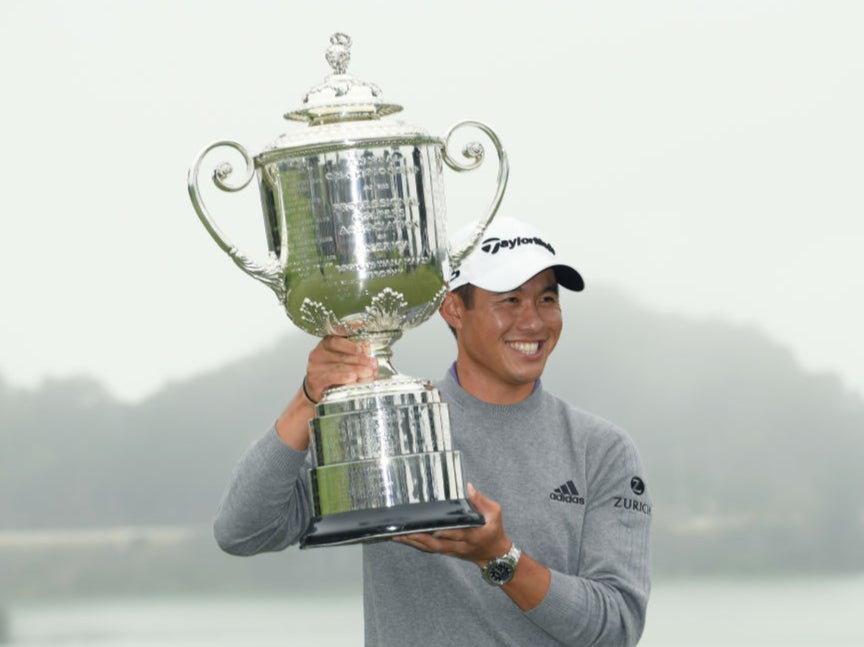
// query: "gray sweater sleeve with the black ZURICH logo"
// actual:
[[605, 603]]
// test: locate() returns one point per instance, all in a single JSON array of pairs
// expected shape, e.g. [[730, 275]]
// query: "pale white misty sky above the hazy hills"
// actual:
[[705, 157]]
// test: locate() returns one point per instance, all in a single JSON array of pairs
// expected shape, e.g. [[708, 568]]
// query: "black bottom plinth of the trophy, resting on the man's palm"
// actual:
[[377, 524]]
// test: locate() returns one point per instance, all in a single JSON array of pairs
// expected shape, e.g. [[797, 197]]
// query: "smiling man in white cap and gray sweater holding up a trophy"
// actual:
[[565, 543]]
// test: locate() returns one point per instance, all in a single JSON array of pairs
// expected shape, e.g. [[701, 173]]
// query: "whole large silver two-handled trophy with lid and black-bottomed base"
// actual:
[[354, 215]]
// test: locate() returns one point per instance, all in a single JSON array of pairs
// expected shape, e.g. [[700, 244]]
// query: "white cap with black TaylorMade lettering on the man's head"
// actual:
[[509, 253]]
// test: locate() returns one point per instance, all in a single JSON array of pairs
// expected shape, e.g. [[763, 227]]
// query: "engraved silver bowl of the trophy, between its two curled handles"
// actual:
[[363, 234]]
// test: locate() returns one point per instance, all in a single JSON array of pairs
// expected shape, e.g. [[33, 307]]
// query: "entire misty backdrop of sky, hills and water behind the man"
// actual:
[[702, 160]]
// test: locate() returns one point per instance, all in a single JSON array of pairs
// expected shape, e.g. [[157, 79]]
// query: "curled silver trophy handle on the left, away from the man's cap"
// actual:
[[268, 273]]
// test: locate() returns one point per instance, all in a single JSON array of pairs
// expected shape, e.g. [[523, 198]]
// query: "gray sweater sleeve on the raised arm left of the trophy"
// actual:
[[266, 505]]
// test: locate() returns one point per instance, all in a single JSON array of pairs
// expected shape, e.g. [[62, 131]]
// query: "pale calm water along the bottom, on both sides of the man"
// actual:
[[707, 613]]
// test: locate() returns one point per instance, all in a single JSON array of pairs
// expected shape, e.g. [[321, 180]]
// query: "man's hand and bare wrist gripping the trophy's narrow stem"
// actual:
[[335, 361]]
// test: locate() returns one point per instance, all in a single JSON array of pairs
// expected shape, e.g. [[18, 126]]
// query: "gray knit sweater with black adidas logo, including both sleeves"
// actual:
[[573, 496]]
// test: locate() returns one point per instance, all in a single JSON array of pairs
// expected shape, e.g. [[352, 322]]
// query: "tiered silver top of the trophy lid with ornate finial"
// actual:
[[341, 97]]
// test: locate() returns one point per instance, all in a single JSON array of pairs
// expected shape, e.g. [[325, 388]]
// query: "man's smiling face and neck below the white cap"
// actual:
[[506, 338]]
